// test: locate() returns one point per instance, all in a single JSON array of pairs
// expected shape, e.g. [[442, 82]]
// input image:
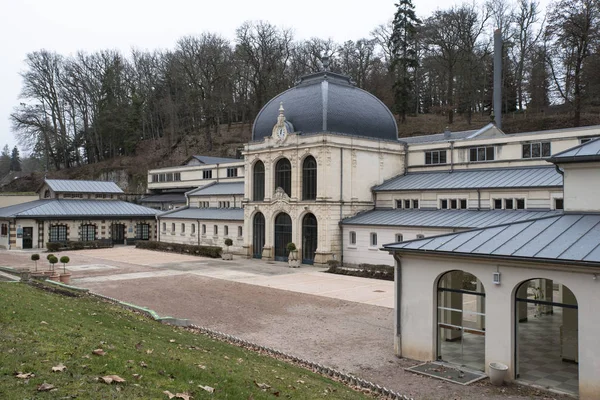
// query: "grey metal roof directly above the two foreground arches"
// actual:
[[573, 238]]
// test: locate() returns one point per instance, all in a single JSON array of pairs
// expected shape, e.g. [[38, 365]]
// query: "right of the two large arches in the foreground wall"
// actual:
[[546, 345]]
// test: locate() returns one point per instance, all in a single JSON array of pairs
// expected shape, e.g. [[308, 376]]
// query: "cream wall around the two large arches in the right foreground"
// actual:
[[417, 307]]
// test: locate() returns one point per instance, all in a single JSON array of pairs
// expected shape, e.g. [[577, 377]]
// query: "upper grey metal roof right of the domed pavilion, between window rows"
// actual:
[[488, 178]]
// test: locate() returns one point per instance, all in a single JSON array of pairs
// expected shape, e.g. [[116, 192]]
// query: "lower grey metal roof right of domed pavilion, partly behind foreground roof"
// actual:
[[444, 218]]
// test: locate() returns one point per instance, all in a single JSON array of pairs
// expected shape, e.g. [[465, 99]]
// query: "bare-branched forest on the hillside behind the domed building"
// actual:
[[92, 107]]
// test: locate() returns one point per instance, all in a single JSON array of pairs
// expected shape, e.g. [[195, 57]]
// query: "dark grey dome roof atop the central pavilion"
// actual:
[[328, 102]]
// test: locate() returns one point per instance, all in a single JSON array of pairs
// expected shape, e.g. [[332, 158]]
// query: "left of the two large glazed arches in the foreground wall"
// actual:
[[461, 320]]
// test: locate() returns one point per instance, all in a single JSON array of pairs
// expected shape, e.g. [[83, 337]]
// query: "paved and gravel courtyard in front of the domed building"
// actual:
[[343, 322]]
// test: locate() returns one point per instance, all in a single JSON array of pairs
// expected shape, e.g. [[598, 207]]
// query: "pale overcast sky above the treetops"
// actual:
[[66, 26]]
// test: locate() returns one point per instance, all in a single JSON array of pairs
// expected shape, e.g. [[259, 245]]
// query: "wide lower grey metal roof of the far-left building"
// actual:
[[53, 208]]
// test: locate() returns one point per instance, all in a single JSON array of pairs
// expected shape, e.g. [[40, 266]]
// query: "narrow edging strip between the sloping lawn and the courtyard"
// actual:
[[315, 367]]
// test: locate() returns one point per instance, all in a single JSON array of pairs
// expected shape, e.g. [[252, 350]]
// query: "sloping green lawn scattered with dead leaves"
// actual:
[[40, 330]]
